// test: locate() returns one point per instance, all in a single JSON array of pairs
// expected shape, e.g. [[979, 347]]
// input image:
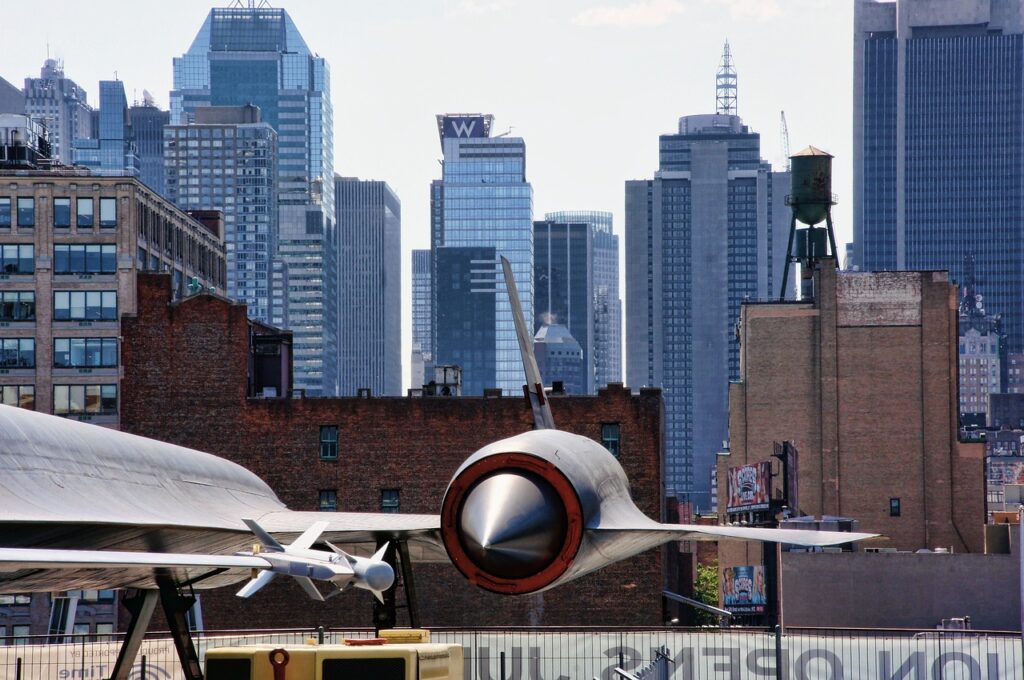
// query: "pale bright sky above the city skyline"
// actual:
[[589, 84]]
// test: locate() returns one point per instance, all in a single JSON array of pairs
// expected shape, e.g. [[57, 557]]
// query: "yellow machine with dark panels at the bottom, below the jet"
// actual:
[[397, 656]]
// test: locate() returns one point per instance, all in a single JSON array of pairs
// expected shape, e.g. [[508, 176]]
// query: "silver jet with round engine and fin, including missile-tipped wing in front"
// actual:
[[86, 507]]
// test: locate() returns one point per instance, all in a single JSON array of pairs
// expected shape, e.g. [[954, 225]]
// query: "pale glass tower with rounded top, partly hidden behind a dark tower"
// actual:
[[608, 346]]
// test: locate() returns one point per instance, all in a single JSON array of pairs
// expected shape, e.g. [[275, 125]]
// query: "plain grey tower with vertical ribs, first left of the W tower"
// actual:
[[370, 287]]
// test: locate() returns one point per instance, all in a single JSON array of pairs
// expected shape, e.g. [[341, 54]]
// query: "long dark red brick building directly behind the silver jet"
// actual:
[[187, 371]]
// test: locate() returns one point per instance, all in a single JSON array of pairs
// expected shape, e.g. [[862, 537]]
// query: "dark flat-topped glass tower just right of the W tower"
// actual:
[[564, 290]]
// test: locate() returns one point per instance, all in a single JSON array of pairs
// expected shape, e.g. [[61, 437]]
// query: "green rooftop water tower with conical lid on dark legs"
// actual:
[[812, 202]]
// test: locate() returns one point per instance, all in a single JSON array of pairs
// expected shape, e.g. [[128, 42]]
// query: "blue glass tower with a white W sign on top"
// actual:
[[484, 206]]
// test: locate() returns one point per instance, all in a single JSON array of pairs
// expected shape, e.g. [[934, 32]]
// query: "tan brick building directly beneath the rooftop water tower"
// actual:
[[865, 381]]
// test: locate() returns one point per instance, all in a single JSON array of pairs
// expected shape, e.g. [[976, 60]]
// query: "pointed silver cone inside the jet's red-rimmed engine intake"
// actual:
[[514, 525]]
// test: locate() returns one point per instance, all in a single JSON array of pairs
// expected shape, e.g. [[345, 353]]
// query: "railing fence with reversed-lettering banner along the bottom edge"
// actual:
[[571, 654]]
